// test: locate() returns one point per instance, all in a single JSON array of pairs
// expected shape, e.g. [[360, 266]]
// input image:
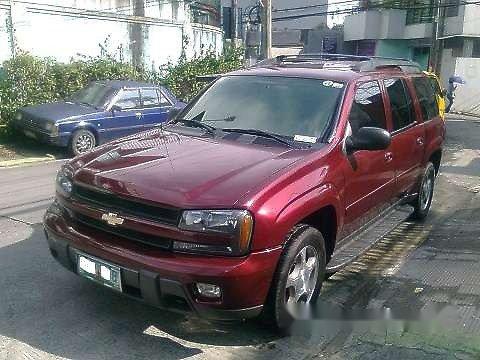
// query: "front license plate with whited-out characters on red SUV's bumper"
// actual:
[[99, 271]]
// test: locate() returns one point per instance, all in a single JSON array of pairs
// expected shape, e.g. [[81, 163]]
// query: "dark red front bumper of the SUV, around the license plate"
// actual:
[[166, 280]]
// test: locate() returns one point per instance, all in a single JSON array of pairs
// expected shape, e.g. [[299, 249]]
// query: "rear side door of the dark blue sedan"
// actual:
[[156, 107]]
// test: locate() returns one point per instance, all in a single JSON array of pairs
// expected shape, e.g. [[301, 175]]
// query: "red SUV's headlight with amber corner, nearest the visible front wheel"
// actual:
[[232, 230]]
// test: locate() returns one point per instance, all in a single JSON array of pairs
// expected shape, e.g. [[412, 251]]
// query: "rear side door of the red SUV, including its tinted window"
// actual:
[[408, 135]]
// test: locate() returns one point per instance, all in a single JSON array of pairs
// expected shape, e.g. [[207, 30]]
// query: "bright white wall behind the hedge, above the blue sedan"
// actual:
[[153, 41]]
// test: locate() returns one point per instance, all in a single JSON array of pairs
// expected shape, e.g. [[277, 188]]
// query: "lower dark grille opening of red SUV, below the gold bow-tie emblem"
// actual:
[[132, 235]]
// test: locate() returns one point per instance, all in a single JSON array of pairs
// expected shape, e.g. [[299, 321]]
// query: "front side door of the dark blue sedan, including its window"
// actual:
[[127, 115]]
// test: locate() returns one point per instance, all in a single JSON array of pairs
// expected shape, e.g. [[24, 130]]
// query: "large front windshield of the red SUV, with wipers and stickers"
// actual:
[[296, 108]]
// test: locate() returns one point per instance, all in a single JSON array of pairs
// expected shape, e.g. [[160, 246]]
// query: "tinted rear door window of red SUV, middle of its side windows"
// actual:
[[401, 104]]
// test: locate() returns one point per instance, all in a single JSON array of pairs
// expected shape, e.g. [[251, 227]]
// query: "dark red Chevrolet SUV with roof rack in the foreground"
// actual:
[[269, 179]]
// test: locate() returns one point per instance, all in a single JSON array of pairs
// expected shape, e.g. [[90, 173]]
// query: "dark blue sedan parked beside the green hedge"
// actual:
[[103, 111]]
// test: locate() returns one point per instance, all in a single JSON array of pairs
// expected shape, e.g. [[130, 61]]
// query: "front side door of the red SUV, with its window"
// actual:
[[369, 175]]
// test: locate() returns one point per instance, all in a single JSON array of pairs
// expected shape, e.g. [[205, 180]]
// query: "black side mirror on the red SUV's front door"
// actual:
[[370, 139]]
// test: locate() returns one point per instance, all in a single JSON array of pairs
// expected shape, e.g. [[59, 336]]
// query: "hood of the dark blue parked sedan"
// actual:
[[58, 111]]
